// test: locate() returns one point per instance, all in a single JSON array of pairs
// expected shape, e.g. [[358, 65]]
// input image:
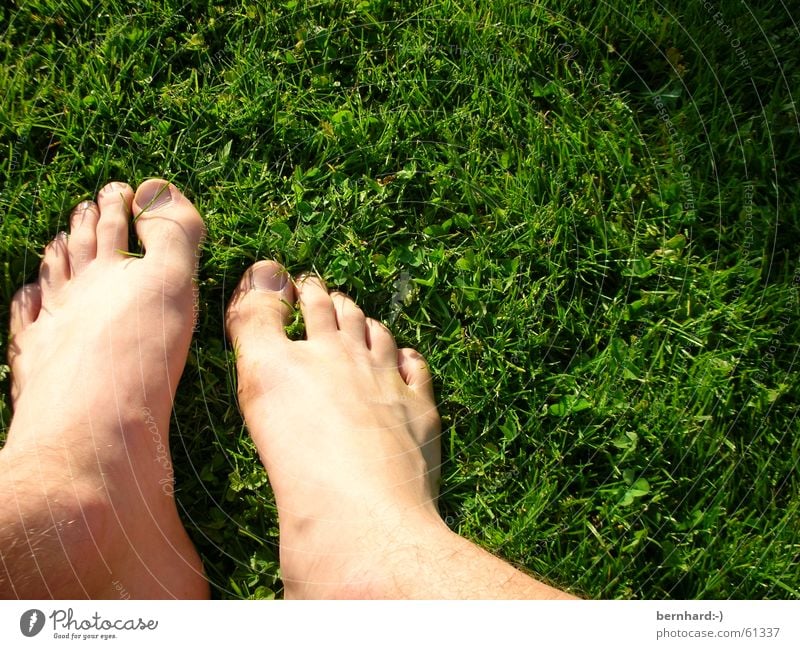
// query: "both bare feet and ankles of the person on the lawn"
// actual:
[[344, 422]]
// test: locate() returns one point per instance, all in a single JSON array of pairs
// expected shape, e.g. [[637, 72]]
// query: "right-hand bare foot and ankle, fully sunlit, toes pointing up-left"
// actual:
[[347, 428]]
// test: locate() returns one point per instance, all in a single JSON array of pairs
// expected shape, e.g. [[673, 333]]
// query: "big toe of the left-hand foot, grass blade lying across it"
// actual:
[[167, 223]]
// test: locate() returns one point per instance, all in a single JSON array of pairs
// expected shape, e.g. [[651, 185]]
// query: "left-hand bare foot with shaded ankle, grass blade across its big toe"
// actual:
[[98, 346]]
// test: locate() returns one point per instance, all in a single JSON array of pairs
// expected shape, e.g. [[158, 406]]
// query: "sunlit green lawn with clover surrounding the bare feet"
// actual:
[[611, 314]]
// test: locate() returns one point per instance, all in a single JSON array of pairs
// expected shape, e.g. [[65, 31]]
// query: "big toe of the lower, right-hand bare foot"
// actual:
[[261, 304]]
